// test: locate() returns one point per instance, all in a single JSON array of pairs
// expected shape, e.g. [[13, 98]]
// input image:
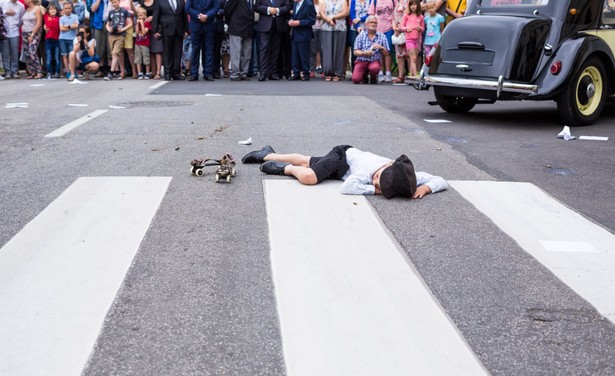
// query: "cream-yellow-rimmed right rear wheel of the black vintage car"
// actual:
[[582, 101]]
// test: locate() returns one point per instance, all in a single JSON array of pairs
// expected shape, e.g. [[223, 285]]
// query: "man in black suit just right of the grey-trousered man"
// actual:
[[271, 25]]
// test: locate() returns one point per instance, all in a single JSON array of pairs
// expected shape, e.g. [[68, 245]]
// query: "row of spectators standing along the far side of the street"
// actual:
[[214, 39]]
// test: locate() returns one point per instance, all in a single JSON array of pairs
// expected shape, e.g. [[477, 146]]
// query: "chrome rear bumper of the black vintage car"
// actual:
[[499, 86]]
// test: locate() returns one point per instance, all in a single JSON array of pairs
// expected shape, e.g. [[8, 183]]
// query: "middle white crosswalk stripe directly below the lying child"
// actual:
[[349, 301]]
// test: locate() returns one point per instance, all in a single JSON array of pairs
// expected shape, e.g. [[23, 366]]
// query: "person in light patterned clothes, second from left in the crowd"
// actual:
[[31, 35]]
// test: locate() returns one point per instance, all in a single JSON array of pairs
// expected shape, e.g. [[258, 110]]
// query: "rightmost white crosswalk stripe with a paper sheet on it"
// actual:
[[578, 251]]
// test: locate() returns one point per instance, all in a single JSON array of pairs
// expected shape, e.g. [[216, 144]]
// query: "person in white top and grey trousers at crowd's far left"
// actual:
[[13, 15]]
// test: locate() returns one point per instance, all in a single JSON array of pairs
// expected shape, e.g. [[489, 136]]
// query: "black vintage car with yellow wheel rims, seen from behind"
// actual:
[[560, 50]]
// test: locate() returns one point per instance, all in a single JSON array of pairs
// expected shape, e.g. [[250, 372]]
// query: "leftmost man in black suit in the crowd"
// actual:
[[170, 21]]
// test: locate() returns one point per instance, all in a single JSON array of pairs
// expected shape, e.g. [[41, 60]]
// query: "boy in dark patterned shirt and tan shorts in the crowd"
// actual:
[[118, 22]]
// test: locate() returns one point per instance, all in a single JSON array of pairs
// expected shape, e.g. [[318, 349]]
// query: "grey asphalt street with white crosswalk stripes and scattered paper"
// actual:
[[114, 259]]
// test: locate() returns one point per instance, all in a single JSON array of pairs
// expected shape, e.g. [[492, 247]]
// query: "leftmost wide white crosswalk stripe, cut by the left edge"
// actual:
[[60, 273]]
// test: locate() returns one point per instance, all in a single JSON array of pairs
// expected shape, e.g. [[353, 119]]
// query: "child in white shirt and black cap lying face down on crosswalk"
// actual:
[[363, 173]]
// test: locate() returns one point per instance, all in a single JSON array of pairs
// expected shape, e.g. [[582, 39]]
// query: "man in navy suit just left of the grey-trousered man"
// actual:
[[202, 28]]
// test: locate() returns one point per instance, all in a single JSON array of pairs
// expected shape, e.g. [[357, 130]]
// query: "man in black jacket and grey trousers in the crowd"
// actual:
[[239, 15]]
